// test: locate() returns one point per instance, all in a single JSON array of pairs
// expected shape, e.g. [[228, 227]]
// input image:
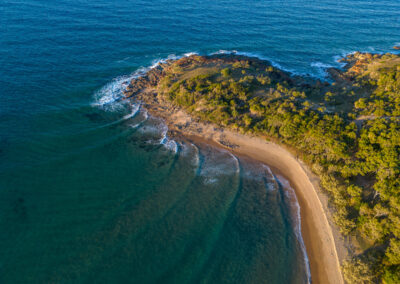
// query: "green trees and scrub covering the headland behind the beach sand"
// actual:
[[347, 131]]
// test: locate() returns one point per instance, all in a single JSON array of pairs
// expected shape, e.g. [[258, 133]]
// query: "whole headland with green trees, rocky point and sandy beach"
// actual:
[[337, 143]]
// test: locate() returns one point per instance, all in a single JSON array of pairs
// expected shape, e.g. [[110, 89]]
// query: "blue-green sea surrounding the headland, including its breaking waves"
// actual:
[[91, 190]]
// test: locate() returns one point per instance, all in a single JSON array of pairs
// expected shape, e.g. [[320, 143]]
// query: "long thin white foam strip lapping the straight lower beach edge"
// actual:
[[291, 195]]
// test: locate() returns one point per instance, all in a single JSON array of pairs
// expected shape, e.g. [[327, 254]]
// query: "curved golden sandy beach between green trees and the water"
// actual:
[[323, 243]]
